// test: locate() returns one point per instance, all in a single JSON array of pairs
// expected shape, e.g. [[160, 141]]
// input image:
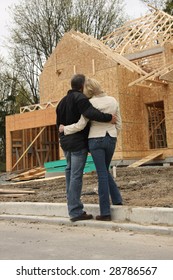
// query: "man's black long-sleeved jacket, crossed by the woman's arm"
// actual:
[[69, 111]]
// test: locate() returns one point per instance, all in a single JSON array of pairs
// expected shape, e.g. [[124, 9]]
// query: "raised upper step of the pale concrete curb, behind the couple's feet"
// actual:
[[141, 215]]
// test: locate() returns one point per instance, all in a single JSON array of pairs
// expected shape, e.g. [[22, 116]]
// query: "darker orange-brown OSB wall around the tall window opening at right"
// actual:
[[135, 117]]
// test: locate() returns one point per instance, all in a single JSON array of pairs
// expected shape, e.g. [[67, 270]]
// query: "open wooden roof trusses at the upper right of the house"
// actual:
[[149, 31]]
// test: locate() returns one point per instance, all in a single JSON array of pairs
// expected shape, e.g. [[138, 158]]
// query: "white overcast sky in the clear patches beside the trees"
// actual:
[[134, 8]]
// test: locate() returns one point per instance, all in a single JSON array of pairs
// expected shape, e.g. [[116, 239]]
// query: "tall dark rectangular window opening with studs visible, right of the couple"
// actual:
[[157, 127]]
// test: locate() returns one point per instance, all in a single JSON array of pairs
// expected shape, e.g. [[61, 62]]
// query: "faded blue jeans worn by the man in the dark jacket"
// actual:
[[74, 178]]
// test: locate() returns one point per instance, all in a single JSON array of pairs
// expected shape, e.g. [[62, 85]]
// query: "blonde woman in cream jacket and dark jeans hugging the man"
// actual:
[[102, 141]]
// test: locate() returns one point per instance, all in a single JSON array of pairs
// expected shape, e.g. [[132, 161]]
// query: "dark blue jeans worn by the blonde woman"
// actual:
[[102, 150]]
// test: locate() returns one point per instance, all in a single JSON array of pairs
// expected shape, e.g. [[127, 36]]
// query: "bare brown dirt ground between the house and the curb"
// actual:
[[142, 186]]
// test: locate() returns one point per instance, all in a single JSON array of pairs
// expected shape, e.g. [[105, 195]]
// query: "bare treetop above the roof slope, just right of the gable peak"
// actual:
[[97, 18]]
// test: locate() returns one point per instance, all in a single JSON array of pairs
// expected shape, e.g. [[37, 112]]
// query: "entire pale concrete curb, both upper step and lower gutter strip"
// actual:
[[150, 220]]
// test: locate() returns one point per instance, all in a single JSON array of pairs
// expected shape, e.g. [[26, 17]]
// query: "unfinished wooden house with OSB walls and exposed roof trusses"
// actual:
[[134, 64]]
